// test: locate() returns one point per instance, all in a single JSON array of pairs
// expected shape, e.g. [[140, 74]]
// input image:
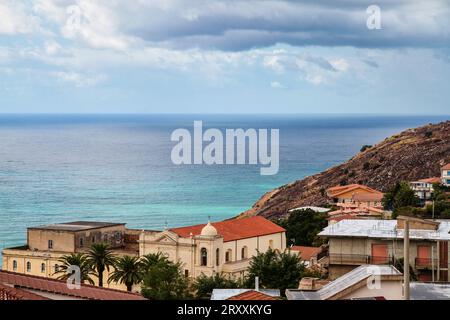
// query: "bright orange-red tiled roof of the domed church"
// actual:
[[235, 229]]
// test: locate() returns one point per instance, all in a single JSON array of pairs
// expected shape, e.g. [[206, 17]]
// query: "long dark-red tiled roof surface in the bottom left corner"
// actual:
[[59, 287]]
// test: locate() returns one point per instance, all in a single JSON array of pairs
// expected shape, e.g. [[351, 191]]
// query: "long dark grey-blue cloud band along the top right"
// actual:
[[240, 25]]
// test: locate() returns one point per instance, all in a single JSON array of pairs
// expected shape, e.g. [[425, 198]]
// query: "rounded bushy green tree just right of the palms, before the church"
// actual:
[[164, 281]]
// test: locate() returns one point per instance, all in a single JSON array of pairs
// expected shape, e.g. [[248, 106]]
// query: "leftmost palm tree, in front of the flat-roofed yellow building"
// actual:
[[79, 260]]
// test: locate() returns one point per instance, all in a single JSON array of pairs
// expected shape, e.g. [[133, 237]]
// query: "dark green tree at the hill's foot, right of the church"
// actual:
[[302, 227]]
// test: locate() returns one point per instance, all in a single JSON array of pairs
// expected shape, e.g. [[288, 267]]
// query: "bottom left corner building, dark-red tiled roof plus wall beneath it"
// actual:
[[16, 286]]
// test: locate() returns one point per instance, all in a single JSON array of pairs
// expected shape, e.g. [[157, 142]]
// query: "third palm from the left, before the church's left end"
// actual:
[[126, 270]]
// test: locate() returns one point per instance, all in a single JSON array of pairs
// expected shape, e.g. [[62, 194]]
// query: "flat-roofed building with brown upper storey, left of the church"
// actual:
[[47, 244]]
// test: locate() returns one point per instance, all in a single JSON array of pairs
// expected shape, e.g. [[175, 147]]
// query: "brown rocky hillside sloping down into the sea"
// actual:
[[411, 155]]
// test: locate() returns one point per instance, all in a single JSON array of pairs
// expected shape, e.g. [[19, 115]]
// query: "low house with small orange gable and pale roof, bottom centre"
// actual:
[[245, 294]]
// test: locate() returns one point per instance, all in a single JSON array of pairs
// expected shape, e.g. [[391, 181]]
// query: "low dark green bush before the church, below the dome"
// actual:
[[204, 285]]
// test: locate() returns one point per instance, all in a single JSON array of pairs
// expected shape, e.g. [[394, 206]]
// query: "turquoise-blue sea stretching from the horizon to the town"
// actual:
[[56, 168]]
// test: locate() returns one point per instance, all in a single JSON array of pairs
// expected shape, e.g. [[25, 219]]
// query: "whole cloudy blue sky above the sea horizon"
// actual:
[[221, 56]]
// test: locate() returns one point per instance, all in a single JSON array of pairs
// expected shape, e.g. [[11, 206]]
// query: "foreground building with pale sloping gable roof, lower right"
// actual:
[[380, 282]]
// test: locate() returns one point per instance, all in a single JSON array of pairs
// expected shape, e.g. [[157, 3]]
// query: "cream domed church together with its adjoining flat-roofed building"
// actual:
[[225, 246]]
